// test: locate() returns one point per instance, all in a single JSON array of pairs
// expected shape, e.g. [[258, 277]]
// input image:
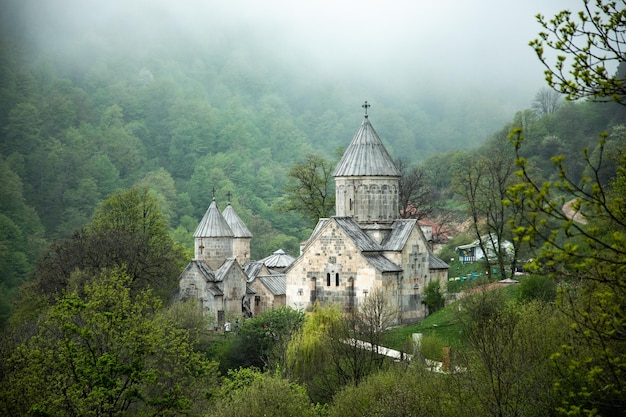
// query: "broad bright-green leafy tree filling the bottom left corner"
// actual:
[[106, 352]]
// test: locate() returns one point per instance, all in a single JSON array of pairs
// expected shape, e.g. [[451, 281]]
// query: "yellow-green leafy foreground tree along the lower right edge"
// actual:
[[590, 256]]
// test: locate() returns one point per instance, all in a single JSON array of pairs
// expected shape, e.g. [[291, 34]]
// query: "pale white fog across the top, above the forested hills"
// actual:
[[390, 49]]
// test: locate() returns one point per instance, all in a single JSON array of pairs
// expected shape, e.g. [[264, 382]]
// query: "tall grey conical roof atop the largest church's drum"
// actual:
[[366, 156]]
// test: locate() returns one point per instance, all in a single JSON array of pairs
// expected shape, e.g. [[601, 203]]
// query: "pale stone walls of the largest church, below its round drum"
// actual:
[[334, 269]]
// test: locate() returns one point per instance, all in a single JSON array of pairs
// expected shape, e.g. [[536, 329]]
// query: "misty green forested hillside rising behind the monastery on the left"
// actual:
[[86, 110]]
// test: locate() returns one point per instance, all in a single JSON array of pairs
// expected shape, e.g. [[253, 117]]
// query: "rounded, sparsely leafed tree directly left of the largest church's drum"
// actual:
[[310, 190]]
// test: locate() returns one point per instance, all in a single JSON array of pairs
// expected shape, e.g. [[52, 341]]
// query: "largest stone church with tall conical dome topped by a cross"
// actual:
[[365, 247]]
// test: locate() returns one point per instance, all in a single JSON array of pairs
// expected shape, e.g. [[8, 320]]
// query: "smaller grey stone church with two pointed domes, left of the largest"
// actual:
[[222, 279]]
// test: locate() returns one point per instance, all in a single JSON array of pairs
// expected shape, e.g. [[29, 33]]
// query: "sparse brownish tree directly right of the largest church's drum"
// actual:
[[416, 198]]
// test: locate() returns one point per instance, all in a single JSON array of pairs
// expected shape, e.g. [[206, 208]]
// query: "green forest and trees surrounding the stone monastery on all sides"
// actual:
[[98, 126]]
